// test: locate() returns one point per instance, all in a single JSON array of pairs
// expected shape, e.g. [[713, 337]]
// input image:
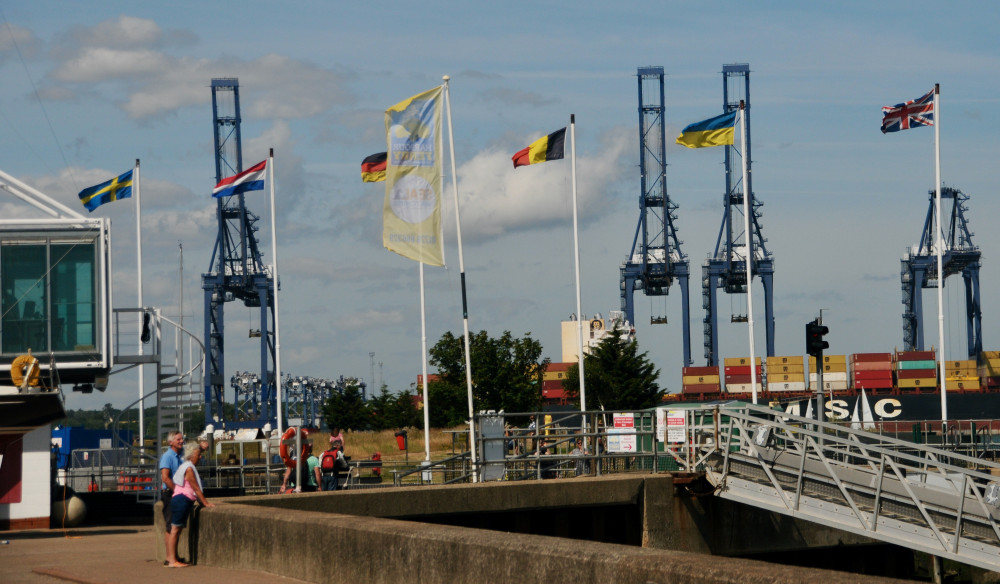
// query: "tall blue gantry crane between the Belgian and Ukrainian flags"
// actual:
[[656, 260]]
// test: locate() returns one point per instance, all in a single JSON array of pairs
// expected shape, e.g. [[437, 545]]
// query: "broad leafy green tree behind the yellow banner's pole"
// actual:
[[506, 373]]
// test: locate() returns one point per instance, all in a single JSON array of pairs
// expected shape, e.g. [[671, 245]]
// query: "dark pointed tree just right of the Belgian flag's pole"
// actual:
[[618, 377]]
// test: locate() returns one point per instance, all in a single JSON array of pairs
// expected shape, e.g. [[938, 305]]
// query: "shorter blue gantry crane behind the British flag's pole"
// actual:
[[959, 255]]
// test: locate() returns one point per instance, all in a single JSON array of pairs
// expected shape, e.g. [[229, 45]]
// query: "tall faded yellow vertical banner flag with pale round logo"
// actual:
[[411, 215]]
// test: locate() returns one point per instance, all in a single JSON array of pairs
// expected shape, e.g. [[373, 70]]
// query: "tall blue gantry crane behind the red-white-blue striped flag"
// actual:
[[236, 273]]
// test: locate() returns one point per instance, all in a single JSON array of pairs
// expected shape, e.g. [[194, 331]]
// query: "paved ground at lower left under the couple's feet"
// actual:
[[104, 555]]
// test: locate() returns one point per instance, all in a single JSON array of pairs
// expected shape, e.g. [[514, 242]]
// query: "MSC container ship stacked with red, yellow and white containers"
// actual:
[[892, 390]]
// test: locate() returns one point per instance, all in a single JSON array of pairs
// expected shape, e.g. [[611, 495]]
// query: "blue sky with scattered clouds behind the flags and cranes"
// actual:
[[842, 202]]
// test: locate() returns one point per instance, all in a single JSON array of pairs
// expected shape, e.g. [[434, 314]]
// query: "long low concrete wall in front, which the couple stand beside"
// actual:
[[377, 550]]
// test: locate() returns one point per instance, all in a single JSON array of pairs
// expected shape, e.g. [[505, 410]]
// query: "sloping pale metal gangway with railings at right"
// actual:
[[924, 498]]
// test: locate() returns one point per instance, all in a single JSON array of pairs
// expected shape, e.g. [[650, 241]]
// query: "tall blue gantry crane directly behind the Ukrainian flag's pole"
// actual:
[[726, 269]]
